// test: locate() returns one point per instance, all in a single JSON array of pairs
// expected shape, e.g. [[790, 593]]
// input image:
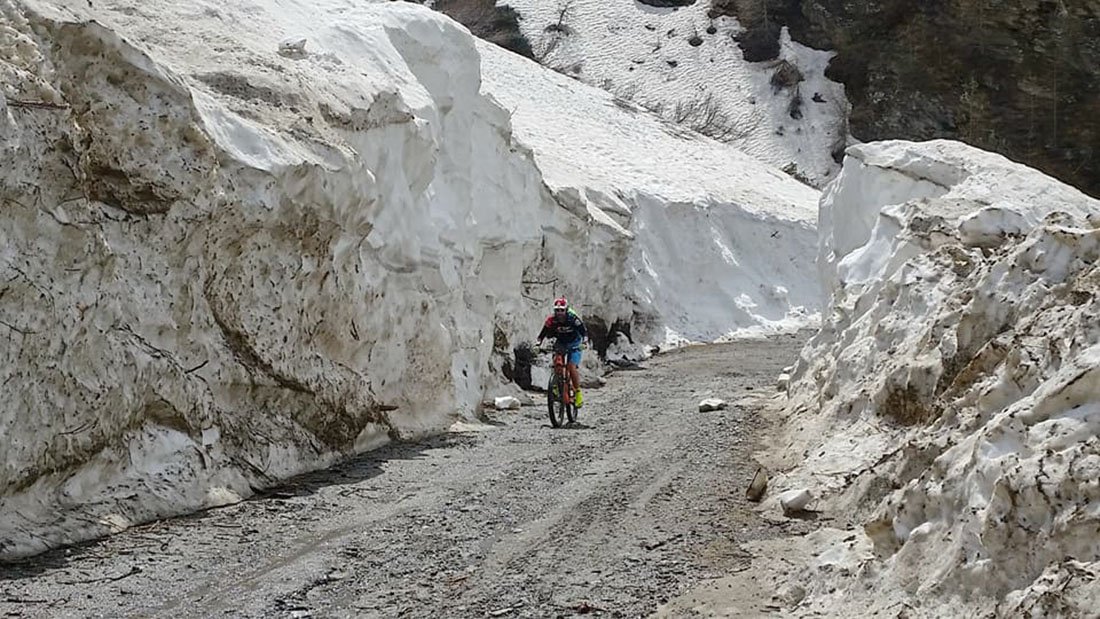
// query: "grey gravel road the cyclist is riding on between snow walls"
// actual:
[[636, 505]]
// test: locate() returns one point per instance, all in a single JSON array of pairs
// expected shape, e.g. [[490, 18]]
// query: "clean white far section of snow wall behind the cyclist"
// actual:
[[705, 215]]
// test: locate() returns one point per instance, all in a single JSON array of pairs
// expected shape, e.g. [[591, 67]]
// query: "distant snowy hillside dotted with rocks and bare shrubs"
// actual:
[[689, 67]]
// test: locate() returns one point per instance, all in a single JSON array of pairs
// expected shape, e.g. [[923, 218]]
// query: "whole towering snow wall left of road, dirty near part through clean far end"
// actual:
[[241, 240]]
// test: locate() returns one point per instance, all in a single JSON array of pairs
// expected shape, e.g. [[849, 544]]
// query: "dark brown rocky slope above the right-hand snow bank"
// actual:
[[1018, 78]]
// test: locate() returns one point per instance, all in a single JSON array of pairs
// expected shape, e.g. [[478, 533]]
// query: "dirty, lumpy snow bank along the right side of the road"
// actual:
[[952, 401]]
